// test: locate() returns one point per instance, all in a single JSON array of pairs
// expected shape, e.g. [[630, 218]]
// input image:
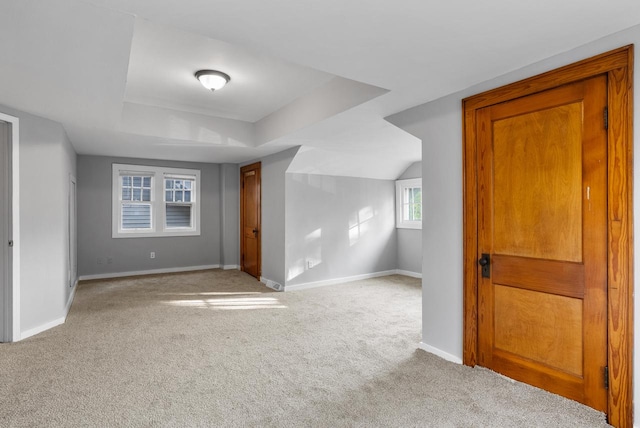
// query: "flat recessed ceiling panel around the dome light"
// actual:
[[163, 62]]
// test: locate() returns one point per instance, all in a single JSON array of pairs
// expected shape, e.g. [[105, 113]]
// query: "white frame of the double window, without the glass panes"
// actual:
[[158, 205]]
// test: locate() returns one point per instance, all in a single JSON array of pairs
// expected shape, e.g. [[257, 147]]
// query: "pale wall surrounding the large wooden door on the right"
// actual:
[[438, 125]]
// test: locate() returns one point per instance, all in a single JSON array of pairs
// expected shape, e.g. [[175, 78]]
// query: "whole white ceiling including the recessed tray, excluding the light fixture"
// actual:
[[318, 73]]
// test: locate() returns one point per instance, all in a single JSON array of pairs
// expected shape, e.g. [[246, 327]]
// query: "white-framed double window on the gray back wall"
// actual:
[[155, 201]]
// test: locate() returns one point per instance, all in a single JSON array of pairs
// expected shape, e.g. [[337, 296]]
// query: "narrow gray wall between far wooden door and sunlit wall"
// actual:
[[273, 171]]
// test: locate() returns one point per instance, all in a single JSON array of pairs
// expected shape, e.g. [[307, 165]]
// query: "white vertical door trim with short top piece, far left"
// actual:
[[15, 219]]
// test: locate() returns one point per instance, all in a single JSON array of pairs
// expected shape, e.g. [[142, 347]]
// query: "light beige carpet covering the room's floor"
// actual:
[[216, 348]]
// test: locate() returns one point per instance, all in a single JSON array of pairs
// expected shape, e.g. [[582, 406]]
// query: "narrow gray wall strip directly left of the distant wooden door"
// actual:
[[230, 216]]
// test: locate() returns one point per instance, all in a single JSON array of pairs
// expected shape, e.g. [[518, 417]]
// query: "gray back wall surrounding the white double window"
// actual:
[[96, 246]]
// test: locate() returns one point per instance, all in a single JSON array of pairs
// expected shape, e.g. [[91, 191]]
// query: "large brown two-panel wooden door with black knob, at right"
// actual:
[[542, 226]]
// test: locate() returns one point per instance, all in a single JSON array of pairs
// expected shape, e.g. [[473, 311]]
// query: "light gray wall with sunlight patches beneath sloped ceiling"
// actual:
[[344, 226]]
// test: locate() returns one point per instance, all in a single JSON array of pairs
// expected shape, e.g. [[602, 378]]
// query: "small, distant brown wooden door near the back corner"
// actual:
[[250, 219]]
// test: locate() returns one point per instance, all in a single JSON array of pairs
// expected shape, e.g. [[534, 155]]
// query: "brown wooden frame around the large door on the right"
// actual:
[[618, 66]]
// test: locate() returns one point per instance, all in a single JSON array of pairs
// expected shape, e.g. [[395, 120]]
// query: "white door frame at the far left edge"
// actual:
[[11, 291]]
